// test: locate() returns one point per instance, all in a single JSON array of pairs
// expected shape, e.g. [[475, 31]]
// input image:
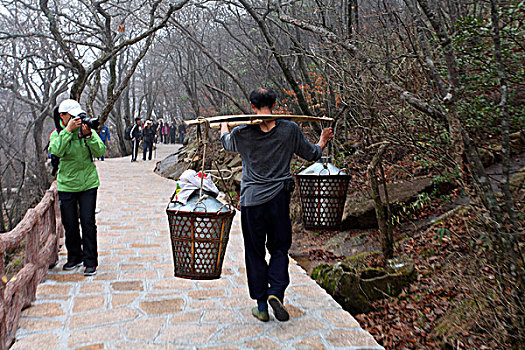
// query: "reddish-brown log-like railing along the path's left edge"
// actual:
[[41, 229]]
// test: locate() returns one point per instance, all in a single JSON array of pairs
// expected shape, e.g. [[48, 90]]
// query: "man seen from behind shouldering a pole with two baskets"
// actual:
[[266, 150]]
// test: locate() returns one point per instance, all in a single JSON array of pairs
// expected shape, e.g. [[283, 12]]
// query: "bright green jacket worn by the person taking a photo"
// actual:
[[76, 171]]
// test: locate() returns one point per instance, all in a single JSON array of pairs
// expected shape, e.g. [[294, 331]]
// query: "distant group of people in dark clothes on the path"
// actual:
[[148, 133]]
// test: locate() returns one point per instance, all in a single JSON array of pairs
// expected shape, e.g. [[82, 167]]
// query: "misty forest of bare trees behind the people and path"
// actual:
[[417, 87]]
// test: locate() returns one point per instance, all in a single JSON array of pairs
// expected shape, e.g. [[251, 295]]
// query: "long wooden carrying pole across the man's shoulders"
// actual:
[[241, 119]]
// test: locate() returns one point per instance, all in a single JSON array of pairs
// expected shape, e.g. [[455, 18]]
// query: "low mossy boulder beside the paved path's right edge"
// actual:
[[355, 289]]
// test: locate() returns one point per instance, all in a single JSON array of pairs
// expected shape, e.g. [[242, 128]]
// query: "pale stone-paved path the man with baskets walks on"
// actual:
[[134, 302]]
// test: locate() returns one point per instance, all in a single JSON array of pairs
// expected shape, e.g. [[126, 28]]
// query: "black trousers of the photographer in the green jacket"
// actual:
[[73, 204]]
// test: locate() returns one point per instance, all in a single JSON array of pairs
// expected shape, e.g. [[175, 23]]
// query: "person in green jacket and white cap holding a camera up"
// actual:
[[76, 144]]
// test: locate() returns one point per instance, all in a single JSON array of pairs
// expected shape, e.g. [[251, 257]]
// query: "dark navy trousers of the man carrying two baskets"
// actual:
[[267, 225]]
